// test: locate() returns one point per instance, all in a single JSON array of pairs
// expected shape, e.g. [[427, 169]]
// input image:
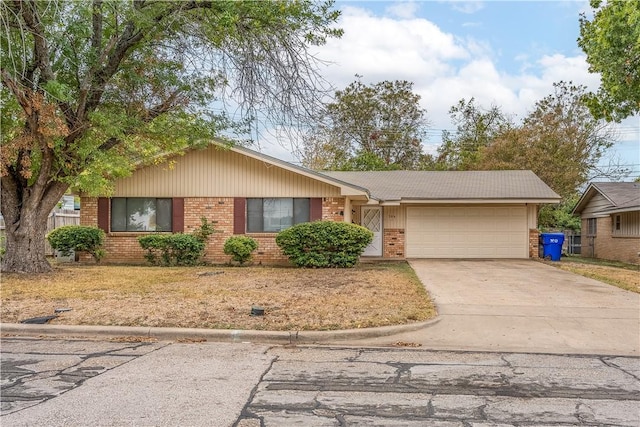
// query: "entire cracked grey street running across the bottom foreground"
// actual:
[[58, 382]]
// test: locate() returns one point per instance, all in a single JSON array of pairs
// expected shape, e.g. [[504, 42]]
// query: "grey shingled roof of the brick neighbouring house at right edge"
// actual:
[[622, 196]]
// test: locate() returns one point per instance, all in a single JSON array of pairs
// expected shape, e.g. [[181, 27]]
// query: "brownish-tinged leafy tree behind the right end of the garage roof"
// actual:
[[559, 140]]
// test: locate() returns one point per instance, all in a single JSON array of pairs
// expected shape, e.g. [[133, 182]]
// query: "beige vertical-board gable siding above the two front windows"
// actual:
[[220, 173]]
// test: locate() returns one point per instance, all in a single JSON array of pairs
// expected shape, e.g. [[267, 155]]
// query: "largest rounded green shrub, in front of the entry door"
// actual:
[[324, 243]]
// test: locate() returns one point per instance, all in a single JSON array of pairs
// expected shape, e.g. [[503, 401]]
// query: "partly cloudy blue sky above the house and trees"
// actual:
[[507, 53]]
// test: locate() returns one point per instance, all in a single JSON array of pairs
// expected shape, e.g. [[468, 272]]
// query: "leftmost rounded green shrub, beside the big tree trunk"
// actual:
[[78, 238]]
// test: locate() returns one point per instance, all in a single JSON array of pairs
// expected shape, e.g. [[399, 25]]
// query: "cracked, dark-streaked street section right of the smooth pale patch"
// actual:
[[376, 387]]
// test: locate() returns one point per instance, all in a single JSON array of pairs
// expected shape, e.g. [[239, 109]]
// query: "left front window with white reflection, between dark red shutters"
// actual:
[[140, 214]]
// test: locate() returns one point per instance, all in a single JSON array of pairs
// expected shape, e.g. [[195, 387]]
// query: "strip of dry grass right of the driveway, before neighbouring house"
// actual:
[[625, 276]]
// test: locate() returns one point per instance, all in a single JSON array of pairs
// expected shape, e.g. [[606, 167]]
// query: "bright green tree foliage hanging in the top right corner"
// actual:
[[611, 41]]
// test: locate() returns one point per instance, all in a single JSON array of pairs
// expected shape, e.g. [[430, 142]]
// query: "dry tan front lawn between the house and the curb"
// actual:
[[221, 297]]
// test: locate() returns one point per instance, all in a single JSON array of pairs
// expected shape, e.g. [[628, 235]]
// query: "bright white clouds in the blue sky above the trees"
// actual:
[[444, 68]]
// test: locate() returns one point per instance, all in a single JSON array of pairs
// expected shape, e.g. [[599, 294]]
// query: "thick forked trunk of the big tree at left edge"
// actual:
[[26, 226]]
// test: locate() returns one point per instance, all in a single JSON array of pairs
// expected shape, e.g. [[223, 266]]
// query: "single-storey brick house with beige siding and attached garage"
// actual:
[[484, 214]]
